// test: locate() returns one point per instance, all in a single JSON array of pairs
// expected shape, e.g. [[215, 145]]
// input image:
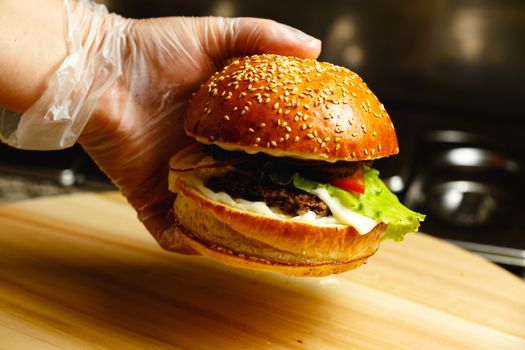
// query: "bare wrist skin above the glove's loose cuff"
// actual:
[[33, 47]]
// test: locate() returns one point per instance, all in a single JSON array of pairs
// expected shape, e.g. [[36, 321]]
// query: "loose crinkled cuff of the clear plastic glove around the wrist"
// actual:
[[94, 40]]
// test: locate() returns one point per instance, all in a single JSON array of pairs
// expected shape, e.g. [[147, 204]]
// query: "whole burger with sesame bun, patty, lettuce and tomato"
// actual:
[[280, 178]]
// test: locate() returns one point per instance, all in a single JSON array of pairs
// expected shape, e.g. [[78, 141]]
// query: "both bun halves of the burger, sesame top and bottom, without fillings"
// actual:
[[284, 107]]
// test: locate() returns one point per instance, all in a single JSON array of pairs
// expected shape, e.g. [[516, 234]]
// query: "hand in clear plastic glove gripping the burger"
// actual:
[[125, 85]]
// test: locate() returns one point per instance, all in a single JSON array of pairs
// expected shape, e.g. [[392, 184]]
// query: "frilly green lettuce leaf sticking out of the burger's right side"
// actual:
[[377, 202]]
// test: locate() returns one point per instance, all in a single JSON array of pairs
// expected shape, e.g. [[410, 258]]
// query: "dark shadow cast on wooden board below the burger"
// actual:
[[164, 298]]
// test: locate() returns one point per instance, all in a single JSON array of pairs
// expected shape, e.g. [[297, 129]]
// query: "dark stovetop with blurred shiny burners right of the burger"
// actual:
[[467, 175]]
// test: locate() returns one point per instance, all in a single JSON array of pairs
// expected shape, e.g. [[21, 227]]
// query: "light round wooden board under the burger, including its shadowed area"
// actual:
[[80, 271]]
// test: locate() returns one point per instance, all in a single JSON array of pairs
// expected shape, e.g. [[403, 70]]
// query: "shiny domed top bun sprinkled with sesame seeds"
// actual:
[[291, 107]]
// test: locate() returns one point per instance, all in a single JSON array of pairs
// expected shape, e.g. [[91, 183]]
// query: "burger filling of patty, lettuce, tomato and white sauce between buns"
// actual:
[[342, 193]]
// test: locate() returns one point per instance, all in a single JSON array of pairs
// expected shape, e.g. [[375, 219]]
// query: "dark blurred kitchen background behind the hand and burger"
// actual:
[[452, 75]]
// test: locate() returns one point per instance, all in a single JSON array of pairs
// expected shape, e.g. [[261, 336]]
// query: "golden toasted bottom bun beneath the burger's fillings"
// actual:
[[253, 241]]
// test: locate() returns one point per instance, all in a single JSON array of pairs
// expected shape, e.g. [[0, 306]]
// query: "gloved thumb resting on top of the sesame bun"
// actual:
[[226, 37]]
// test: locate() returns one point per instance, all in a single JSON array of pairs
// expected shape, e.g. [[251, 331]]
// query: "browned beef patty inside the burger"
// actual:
[[289, 200]]
